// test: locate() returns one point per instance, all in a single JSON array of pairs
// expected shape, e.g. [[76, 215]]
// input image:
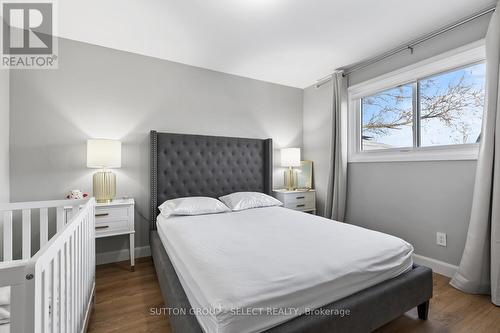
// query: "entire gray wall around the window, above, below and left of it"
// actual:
[[412, 200]]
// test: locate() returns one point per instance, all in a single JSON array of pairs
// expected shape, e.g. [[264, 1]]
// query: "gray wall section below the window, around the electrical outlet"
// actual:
[[413, 201]]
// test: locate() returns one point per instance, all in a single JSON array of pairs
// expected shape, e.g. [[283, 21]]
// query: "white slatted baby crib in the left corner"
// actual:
[[53, 289]]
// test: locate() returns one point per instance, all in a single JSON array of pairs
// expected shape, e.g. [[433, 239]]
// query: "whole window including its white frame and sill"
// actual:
[[434, 114]]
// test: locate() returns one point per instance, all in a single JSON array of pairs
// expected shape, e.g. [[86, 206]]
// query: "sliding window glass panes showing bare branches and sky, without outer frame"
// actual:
[[450, 108]]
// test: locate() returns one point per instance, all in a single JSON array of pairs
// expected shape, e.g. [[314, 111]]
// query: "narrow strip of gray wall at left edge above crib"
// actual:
[[4, 135]]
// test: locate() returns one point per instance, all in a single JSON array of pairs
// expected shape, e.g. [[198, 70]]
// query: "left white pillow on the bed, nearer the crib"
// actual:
[[192, 206]]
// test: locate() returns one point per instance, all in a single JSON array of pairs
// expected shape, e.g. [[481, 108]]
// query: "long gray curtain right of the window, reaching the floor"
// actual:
[[480, 264]]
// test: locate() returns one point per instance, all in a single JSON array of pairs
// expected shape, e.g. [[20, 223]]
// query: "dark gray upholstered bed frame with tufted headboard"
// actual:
[[193, 165]]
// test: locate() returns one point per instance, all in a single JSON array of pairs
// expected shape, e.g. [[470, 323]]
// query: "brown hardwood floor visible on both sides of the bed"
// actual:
[[123, 300]]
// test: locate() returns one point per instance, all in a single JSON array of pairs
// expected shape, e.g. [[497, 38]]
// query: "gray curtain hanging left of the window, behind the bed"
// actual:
[[337, 179]]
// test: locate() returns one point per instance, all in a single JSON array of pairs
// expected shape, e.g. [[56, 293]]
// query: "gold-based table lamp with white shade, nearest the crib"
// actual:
[[104, 154]]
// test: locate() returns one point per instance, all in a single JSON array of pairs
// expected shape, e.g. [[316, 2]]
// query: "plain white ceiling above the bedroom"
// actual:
[[290, 42]]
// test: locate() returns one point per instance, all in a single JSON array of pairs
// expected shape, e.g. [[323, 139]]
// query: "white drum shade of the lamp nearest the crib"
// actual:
[[104, 153]]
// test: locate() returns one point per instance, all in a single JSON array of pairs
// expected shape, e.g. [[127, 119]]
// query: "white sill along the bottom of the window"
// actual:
[[448, 153]]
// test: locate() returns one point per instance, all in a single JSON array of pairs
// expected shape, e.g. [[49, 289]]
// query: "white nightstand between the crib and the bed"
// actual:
[[114, 219]]
